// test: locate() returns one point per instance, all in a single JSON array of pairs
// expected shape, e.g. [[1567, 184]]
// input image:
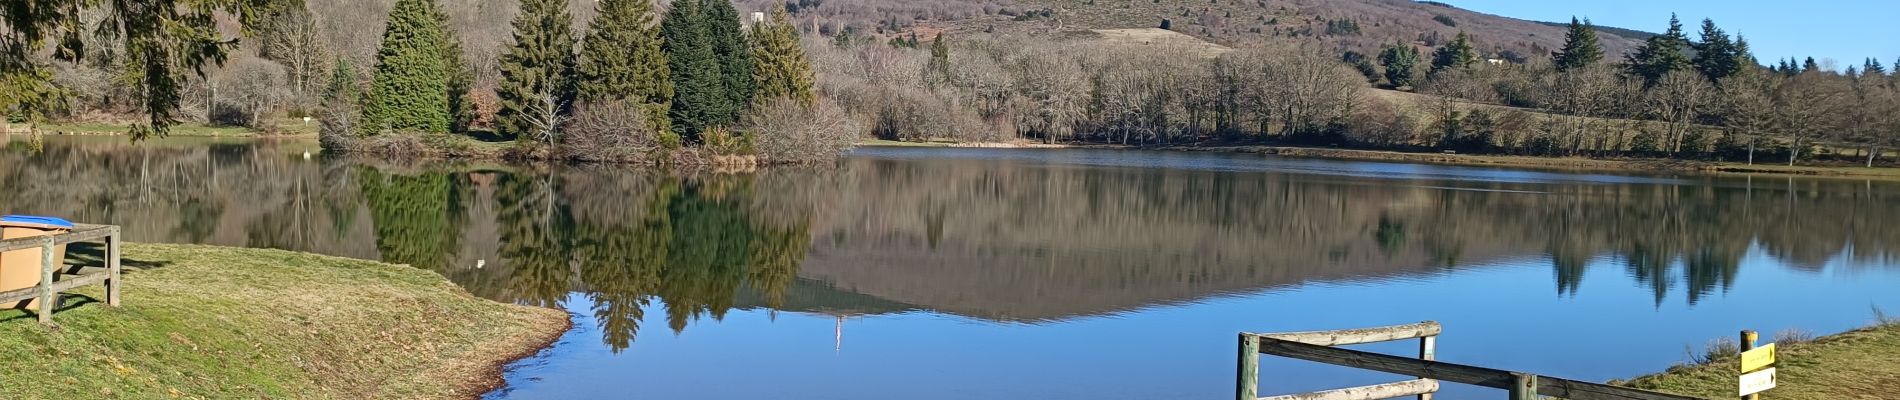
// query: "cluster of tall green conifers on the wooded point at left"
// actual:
[[685, 77]]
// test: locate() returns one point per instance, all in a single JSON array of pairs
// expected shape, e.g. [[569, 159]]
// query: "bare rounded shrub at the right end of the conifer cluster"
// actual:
[[788, 132]]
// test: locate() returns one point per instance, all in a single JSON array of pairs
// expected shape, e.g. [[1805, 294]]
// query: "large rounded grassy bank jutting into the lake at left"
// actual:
[[237, 323]]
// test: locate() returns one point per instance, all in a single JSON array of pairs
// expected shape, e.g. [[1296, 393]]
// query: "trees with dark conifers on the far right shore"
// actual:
[[1673, 96]]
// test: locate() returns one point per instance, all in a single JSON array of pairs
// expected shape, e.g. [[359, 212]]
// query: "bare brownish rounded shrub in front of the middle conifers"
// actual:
[[613, 134]]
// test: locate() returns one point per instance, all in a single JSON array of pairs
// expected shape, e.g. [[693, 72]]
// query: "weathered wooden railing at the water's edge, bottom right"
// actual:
[[1320, 348]]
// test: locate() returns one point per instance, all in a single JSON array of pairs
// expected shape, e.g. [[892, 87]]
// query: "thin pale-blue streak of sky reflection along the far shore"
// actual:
[[1261, 164]]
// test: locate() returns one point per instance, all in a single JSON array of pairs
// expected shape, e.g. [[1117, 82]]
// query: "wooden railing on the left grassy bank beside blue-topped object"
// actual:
[[48, 291]]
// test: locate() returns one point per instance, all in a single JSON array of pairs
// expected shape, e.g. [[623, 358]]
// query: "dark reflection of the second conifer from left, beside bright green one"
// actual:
[[535, 238]]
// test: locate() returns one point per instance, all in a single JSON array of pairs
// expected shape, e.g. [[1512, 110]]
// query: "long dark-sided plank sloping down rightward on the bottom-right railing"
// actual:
[[1454, 373]]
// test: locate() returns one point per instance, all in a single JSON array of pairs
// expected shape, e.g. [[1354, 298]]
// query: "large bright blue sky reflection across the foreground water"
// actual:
[[1502, 316]]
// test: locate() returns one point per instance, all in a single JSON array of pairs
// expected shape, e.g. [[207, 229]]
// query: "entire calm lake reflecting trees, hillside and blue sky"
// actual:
[[1029, 274]]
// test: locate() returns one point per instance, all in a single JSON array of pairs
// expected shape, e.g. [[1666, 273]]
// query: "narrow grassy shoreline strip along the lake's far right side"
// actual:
[[1468, 160]]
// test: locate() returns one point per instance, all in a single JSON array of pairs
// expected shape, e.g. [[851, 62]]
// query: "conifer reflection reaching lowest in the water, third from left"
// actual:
[[622, 263]]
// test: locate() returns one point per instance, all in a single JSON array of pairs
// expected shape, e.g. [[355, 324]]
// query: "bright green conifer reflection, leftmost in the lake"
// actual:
[[417, 217]]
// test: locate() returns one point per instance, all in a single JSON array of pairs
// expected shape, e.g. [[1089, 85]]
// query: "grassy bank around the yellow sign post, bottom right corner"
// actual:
[[1853, 365]]
